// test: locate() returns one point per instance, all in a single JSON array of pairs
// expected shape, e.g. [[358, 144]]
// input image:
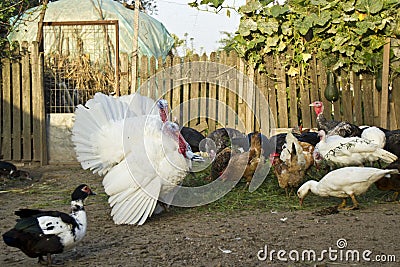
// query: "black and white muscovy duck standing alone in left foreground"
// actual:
[[39, 233]]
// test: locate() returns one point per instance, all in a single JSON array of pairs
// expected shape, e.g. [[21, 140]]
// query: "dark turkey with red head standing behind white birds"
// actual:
[[332, 127]]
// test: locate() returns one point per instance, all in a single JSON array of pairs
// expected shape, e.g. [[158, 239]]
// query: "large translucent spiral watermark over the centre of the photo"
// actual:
[[219, 76]]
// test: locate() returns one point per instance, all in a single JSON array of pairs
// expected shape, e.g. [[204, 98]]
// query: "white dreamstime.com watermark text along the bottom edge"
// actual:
[[340, 253]]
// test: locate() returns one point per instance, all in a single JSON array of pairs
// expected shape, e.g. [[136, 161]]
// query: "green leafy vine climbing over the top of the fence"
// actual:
[[343, 34]]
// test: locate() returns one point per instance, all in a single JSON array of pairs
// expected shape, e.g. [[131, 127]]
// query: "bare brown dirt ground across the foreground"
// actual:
[[193, 237]]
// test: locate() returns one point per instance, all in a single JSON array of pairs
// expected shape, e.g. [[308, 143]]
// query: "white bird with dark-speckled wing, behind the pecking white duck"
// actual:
[[349, 151]]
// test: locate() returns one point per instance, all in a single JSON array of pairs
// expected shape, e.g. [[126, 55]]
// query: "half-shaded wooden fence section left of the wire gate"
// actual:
[[23, 128]]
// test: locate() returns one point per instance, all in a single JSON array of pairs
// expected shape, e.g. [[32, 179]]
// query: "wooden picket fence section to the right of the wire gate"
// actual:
[[288, 98]]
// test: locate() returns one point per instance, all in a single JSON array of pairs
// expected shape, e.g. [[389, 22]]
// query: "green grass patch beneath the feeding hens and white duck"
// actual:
[[270, 197]]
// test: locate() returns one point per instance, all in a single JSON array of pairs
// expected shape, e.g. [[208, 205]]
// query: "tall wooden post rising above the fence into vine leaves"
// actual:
[[385, 85]]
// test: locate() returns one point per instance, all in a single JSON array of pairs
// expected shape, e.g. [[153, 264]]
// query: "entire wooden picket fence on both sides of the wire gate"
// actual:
[[219, 90]]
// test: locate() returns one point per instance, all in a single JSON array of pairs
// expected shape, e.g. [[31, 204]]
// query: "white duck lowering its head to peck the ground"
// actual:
[[343, 183]]
